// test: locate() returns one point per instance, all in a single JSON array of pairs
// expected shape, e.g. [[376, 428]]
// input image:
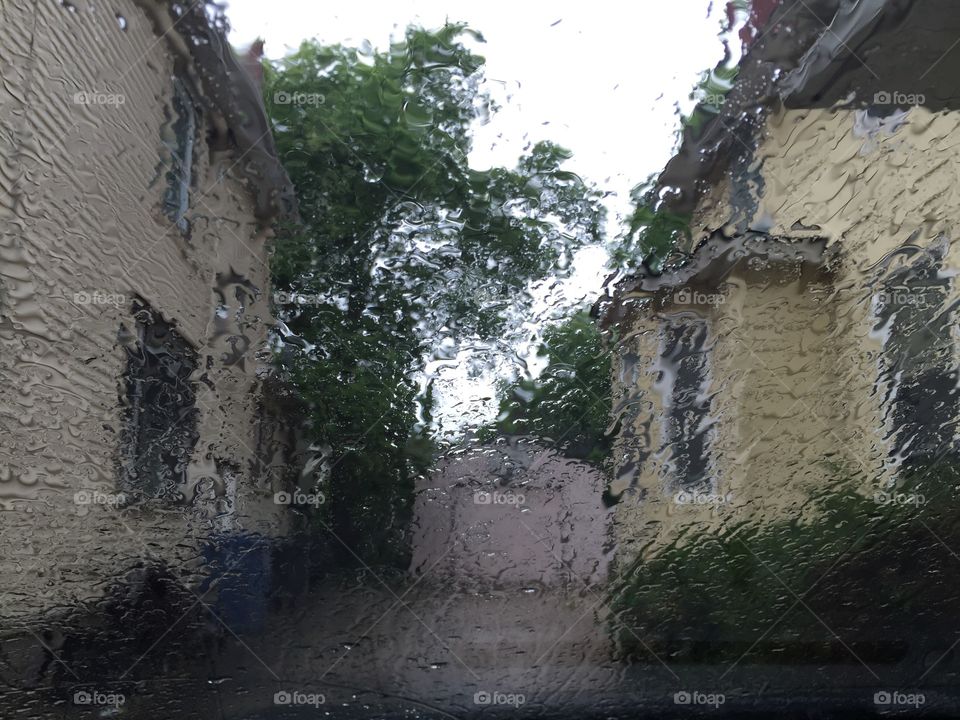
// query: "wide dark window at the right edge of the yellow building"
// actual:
[[918, 364]]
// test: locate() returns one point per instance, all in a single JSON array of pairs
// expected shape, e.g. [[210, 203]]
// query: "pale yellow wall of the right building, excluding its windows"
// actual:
[[798, 397]]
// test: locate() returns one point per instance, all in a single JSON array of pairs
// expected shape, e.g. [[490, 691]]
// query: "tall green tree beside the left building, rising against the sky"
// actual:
[[399, 238]]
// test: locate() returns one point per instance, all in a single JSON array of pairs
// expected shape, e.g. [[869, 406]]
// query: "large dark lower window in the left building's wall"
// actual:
[[160, 429]]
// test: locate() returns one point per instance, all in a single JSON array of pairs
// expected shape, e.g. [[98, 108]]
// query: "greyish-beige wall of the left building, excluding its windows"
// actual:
[[83, 234]]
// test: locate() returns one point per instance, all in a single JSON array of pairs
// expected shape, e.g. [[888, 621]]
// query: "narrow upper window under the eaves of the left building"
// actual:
[[178, 136]]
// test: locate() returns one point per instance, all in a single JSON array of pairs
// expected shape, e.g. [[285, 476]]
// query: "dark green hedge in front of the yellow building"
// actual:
[[723, 590]]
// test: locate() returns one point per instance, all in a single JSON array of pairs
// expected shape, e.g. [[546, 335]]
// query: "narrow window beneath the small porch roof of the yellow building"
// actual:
[[687, 403]]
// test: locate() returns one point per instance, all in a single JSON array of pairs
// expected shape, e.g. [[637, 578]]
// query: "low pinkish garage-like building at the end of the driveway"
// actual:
[[514, 514]]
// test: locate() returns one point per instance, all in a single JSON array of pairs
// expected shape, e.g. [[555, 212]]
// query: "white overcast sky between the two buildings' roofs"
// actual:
[[601, 78]]
